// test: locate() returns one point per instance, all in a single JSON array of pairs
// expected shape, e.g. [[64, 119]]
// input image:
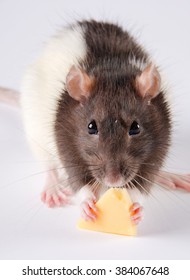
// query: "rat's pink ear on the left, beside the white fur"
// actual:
[[78, 83]]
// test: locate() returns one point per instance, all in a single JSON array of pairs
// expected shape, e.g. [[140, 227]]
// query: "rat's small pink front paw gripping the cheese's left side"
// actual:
[[89, 209]]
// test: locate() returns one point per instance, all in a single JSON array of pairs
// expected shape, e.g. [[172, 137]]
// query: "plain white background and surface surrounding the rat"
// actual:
[[28, 230]]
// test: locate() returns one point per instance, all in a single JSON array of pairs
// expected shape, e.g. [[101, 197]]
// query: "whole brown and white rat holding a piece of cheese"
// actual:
[[95, 110]]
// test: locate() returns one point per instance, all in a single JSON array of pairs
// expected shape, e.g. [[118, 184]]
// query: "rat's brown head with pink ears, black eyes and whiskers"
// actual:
[[117, 128]]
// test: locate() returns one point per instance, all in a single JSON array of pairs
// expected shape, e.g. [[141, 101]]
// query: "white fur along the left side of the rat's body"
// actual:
[[42, 87]]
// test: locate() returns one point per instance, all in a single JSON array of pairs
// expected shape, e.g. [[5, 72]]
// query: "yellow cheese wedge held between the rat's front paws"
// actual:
[[113, 214]]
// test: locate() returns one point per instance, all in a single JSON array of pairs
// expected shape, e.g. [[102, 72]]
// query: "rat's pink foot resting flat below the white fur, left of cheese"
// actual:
[[56, 197]]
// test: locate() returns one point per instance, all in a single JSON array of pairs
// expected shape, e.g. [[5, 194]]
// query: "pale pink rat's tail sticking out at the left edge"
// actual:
[[9, 96]]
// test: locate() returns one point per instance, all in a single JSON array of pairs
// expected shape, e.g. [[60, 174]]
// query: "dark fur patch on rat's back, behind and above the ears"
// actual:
[[109, 43]]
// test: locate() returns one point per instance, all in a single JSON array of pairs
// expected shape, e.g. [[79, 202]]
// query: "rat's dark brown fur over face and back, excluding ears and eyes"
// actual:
[[114, 103]]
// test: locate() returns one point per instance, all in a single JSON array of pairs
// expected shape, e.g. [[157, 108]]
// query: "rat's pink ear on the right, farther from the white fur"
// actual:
[[149, 82]]
